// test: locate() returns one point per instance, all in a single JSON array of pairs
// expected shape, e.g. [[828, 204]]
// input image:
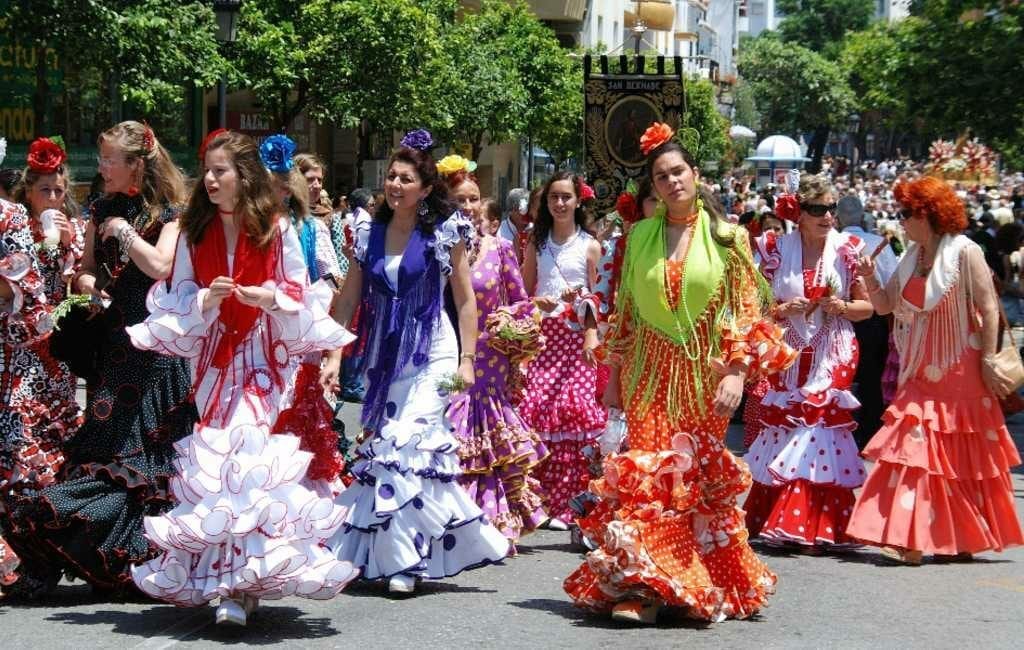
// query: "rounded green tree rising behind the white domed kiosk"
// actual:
[[796, 91]]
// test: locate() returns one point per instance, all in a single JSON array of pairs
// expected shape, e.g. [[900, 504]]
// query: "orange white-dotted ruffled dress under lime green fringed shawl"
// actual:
[[668, 516]]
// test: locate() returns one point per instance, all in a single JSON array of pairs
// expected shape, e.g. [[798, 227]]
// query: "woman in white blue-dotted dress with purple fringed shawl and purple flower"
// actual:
[[408, 517]]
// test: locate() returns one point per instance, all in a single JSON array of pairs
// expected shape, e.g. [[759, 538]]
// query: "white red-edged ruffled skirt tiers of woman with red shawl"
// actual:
[[244, 524]]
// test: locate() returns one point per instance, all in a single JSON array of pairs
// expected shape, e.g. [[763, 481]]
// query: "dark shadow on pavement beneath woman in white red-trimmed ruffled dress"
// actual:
[[267, 626]]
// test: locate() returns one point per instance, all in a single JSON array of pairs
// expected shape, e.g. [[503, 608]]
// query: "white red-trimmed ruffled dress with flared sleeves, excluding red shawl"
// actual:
[[248, 523]]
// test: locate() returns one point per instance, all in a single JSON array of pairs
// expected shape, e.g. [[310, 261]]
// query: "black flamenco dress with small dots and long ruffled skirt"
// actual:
[[90, 524]]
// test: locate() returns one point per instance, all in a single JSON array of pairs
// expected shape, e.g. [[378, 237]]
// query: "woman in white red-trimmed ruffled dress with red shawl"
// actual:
[[241, 308]]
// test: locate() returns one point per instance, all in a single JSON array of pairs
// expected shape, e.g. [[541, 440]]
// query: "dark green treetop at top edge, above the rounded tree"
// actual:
[[822, 25]]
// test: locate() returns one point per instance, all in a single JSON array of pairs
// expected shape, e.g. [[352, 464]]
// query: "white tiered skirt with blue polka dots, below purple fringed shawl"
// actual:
[[406, 514]]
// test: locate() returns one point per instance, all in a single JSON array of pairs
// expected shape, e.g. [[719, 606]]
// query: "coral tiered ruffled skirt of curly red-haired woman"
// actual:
[[942, 483]]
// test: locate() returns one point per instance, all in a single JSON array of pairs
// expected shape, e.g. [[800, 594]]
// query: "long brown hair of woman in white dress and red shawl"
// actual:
[[258, 207]]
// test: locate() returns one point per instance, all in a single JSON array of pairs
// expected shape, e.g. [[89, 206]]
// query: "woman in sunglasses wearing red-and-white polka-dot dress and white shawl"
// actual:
[[805, 463]]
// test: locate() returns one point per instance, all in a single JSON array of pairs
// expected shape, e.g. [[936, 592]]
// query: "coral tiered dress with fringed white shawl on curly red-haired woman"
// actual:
[[942, 482]]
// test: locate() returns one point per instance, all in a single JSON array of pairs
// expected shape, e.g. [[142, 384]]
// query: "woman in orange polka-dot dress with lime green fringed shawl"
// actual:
[[689, 335]]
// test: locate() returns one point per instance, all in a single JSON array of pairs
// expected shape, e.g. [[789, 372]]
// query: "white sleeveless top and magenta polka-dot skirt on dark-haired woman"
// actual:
[[561, 403]]
